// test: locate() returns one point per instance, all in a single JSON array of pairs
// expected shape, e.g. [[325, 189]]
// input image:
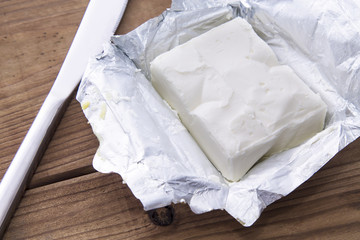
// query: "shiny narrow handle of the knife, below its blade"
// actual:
[[27, 157]]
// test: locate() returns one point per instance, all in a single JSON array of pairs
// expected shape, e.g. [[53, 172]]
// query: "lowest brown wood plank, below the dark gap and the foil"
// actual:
[[99, 206]]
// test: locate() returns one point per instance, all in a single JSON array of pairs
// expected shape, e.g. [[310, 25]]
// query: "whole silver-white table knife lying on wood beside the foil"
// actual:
[[99, 23]]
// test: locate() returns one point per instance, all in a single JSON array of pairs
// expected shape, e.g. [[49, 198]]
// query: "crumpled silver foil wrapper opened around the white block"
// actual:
[[143, 140]]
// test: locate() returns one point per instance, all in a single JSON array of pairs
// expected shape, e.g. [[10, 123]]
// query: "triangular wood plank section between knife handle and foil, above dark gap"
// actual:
[[70, 151]]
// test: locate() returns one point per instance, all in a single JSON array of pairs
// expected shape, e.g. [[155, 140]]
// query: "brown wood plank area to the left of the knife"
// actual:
[[34, 39]]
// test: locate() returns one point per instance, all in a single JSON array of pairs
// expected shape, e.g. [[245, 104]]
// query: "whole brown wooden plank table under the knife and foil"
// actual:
[[68, 199]]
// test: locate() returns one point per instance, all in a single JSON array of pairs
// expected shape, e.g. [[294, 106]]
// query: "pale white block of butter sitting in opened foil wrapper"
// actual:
[[235, 99]]
